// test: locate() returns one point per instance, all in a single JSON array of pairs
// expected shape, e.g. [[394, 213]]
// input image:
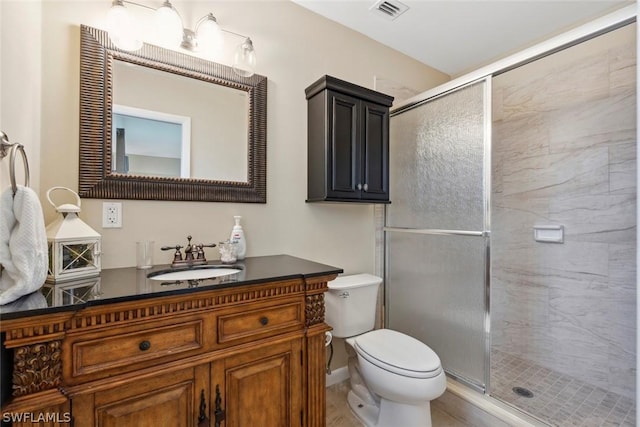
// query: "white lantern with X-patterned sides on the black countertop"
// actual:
[[74, 247]]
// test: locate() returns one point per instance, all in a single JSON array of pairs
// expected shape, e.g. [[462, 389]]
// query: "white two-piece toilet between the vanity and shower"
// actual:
[[393, 376]]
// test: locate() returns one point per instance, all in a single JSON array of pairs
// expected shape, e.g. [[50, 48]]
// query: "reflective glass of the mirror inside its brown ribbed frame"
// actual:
[[218, 148]]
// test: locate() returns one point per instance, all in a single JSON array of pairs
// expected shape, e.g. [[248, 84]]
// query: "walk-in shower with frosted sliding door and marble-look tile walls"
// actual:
[[510, 242]]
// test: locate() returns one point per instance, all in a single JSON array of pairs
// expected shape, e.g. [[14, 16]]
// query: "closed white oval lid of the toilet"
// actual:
[[398, 353]]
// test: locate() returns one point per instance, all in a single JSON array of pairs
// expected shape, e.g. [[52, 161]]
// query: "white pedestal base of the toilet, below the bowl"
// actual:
[[390, 414]]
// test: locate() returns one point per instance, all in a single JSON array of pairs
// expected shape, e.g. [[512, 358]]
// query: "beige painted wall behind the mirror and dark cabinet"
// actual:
[[294, 47]]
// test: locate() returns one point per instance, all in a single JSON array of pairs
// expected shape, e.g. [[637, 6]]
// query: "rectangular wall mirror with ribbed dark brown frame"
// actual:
[[218, 117]]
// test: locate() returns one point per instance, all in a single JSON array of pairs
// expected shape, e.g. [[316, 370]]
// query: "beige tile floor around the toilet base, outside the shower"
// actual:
[[339, 414]]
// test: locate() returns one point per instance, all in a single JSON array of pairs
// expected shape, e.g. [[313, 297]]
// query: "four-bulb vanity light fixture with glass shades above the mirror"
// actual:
[[169, 31]]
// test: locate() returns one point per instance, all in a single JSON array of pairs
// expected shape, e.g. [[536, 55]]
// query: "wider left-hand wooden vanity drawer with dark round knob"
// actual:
[[96, 355]]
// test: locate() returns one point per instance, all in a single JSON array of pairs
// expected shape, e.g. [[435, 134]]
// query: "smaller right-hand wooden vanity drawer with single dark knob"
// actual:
[[261, 322]]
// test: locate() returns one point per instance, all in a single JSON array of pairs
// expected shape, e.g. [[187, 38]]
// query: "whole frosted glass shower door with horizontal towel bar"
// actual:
[[436, 229]]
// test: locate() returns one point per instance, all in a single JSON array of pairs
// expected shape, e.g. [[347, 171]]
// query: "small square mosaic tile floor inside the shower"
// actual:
[[558, 399]]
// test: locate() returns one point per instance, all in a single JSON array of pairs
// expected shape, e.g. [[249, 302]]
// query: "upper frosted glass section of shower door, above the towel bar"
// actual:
[[436, 163]]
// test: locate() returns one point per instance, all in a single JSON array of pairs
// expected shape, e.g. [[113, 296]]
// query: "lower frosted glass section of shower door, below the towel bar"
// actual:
[[435, 293]]
